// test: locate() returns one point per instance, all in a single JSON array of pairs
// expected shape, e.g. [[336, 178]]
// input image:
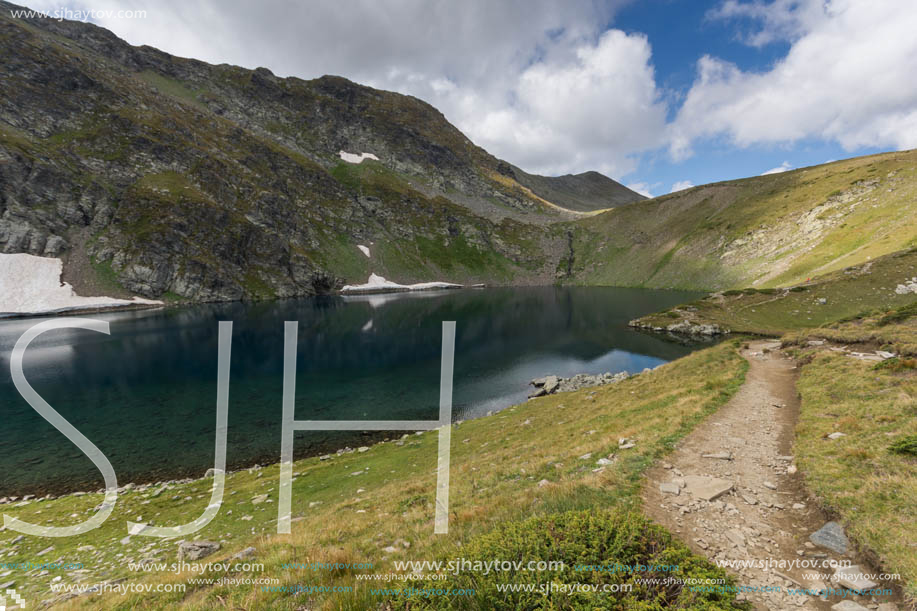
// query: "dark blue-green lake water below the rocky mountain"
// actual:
[[146, 394]]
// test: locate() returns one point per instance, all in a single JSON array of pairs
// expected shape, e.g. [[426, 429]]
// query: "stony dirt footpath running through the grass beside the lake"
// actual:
[[731, 492]]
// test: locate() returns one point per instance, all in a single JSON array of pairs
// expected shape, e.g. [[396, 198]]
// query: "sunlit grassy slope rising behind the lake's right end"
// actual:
[[765, 231]]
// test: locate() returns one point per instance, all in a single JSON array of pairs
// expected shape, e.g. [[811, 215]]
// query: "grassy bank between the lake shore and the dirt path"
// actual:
[[498, 464]]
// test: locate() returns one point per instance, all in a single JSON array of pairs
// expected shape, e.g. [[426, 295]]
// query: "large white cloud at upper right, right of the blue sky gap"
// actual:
[[848, 77]]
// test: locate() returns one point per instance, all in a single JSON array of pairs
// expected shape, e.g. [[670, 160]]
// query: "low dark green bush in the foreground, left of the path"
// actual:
[[590, 544]]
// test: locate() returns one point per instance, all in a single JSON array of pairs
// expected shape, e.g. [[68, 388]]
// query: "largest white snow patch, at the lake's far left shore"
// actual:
[[31, 285]]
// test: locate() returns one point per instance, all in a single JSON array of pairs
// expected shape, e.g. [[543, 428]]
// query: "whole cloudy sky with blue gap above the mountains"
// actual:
[[657, 94]]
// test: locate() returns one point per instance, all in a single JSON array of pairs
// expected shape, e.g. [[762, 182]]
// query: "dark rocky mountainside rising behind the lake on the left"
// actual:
[[173, 178]]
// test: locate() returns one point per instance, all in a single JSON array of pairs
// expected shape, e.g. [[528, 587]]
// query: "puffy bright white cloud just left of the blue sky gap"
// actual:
[[593, 109]]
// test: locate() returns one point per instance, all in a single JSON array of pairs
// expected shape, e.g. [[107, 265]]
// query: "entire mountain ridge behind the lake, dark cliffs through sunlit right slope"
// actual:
[[175, 179]]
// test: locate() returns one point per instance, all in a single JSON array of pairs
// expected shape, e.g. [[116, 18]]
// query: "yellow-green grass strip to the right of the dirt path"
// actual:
[[869, 476]]
